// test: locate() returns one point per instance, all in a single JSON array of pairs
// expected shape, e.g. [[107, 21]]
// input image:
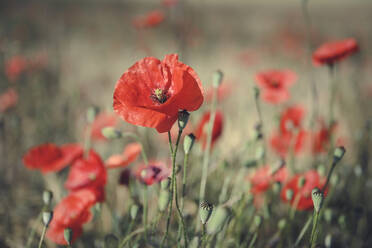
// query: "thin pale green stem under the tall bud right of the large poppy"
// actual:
[[207, 151]]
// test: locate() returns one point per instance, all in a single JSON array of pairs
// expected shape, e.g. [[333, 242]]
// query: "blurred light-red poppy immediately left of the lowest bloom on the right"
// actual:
[[263, 177]]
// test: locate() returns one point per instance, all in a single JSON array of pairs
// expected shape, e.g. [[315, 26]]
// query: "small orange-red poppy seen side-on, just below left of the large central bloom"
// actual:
[[129, 155]]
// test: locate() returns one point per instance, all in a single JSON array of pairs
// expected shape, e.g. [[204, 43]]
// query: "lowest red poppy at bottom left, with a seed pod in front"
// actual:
[[72, 212]]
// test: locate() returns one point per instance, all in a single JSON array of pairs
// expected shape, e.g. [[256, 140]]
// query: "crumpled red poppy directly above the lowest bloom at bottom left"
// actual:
[[87, 172]]
